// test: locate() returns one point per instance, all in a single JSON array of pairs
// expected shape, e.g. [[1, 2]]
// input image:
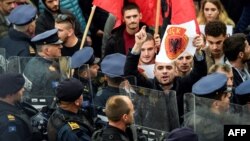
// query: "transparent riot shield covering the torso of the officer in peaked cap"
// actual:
[[41, 78]]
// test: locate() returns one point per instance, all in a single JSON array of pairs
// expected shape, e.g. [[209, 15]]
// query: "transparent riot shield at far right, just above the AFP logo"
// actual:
[[208, 116]]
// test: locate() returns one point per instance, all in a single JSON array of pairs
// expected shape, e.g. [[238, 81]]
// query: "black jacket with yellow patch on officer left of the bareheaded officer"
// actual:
[[67, 126]]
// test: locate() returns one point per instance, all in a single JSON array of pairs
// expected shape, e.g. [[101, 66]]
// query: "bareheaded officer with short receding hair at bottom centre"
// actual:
[[119, 110]]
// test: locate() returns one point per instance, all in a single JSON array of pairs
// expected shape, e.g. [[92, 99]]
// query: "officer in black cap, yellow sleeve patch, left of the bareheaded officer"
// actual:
[[68, 122]]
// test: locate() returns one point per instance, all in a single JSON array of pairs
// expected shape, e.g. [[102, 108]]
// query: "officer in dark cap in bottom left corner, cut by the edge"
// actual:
[[15, 125]]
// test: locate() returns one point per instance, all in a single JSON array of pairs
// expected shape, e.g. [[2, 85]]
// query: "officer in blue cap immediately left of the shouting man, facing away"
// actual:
[[112, 66]]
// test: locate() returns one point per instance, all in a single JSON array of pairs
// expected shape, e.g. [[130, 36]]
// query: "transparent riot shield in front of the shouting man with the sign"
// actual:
[[156, 112]]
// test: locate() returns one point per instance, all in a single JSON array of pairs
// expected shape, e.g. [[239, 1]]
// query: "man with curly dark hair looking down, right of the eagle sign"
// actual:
[[215, 33]]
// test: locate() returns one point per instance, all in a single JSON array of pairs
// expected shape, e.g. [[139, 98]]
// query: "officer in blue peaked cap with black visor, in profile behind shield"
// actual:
[[43, 70]]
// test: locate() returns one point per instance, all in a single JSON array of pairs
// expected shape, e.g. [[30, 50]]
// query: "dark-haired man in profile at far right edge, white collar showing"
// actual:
[[237, 51]]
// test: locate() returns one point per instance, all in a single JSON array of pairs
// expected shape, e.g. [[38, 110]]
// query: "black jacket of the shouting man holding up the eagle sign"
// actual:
[[181, 85]]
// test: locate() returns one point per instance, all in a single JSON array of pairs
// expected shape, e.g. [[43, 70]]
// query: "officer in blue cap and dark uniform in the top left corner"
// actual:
[[18, 40]]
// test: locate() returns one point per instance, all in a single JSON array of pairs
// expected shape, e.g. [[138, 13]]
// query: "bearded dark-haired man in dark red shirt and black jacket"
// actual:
[[122, 38]]
